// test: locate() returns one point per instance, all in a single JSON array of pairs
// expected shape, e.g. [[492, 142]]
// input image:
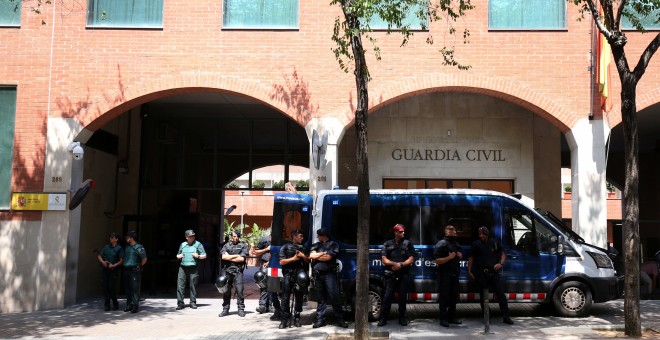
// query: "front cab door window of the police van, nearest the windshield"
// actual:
[[527, 234]]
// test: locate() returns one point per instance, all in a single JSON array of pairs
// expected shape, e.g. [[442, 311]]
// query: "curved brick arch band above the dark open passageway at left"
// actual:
[[107, 106]]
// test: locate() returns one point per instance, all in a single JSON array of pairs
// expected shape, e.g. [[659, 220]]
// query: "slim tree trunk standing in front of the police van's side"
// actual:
[[362, 304]]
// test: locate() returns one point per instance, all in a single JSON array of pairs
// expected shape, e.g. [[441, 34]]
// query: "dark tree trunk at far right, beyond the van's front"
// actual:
[[633, 325]]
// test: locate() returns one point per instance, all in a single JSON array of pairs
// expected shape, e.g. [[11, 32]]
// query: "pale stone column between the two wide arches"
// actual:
[[324, 135]]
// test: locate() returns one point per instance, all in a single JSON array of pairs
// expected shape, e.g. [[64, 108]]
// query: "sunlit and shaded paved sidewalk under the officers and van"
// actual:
[[159, 319]]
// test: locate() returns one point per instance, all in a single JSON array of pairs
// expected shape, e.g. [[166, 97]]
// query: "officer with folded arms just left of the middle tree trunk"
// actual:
[[323, 254]]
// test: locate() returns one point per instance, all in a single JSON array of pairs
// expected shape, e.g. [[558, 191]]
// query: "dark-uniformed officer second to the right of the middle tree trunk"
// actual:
[[447, 255]]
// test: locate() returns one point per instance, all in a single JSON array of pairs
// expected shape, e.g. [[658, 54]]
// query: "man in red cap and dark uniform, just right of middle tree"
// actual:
[[397, 255]]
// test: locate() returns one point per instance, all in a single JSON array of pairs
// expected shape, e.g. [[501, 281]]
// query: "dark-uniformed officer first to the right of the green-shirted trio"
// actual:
[[234, 254]]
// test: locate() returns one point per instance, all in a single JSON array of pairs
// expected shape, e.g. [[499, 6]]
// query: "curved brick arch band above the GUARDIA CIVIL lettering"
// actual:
[[533, 100]]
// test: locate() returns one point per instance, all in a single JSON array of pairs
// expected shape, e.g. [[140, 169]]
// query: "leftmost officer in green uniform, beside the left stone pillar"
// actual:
[[111, 257]]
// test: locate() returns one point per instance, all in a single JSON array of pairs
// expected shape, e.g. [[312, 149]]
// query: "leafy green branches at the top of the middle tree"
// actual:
[[356, 24]]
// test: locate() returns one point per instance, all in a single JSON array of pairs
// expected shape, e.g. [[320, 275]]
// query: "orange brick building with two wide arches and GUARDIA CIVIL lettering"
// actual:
[[173, 100]]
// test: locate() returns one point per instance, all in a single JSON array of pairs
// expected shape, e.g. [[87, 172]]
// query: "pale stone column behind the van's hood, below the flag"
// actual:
[[587, 140]]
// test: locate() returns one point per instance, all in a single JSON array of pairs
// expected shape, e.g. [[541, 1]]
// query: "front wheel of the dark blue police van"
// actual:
[[572, 299]]
